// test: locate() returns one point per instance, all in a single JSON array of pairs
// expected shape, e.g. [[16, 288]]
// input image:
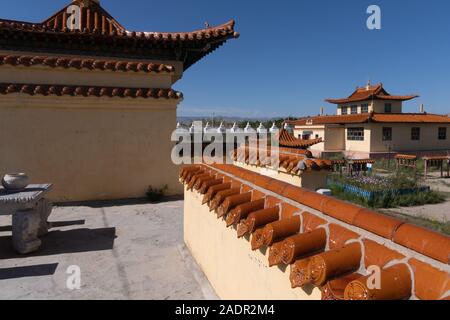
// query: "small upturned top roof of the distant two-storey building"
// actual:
[[369, 92]]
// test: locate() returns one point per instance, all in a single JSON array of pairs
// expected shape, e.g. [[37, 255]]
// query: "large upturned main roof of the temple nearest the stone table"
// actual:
[[102, 35]]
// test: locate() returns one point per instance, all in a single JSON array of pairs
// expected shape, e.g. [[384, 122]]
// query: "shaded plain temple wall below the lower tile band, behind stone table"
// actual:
[[90, 148]]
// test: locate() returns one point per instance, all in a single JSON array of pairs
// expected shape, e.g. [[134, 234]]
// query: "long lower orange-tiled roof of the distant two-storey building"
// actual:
[[373, 117]]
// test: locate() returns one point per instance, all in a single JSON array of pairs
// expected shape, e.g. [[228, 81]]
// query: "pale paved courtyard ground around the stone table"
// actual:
[[124, 251]]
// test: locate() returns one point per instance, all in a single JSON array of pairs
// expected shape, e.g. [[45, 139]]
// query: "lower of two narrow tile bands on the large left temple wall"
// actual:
[[88, 91]]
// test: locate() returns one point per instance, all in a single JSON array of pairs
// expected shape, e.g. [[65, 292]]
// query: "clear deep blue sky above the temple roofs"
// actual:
[[293, 54]]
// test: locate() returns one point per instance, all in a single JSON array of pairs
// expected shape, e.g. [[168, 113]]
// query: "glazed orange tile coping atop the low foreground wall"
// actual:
[[322, 250]]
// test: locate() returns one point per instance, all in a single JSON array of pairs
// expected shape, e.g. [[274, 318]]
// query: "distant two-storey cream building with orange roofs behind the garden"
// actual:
[[371, 123]]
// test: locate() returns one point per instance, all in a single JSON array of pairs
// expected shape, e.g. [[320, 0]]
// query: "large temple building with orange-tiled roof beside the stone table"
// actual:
[[88, 105]]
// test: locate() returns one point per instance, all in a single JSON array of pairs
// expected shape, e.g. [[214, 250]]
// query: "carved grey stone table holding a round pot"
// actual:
[[30, 212]]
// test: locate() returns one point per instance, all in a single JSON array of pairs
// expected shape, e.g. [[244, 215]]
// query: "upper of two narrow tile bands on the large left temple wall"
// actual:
[[80, 63]]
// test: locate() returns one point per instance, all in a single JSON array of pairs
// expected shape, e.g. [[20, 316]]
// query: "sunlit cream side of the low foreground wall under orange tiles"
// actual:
[[233, 269]]
